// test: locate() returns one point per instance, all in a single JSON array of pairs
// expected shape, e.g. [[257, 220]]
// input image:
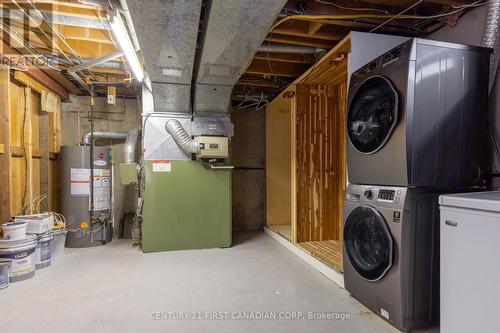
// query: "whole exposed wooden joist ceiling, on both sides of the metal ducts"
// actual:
[[79, 32]]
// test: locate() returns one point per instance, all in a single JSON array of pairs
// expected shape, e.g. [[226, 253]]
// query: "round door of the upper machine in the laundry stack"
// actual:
[[373, 113]]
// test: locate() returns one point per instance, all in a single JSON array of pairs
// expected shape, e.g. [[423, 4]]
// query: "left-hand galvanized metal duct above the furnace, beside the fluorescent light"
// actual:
[[167, 31]]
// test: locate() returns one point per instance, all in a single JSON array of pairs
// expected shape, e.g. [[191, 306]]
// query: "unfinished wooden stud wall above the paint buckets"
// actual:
[[29, 146]]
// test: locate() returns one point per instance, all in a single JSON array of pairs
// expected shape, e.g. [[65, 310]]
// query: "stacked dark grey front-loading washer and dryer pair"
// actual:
[[416, 126]]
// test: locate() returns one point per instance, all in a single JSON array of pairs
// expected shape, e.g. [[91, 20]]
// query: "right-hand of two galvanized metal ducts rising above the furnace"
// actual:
[[234, 33]]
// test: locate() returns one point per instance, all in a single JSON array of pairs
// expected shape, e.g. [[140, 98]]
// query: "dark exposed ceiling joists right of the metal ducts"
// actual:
[[318, 25]]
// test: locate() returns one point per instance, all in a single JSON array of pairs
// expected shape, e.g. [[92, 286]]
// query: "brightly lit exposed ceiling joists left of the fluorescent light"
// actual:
[[68, 33]]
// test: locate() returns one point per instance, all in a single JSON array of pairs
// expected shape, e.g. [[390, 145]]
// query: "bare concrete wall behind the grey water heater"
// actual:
[[121, 117]]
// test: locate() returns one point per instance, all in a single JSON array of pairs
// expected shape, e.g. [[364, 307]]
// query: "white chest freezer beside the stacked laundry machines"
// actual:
[[470, 262]]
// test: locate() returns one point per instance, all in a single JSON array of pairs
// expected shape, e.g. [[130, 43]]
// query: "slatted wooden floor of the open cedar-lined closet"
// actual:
[[329, 252]]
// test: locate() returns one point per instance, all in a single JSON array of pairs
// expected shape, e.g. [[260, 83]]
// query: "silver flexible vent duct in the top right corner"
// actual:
[[490, 36]]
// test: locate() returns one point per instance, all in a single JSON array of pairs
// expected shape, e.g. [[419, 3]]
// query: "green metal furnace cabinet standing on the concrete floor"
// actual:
[[186, 206]]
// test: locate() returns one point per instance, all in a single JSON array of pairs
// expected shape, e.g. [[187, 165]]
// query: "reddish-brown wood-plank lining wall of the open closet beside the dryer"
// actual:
[[321, 172]]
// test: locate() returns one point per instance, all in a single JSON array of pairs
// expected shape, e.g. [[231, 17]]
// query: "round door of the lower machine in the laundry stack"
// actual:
[[368, 243]]
